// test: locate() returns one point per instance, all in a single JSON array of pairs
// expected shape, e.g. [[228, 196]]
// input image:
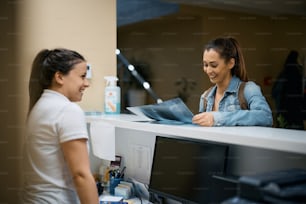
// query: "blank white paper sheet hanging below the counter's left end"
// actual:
[[103, 140]]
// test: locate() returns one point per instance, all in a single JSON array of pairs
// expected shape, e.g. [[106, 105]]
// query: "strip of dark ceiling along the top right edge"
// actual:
[[132, 11]]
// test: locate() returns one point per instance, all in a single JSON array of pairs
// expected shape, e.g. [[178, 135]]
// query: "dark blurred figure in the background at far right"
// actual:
[[288, 93]]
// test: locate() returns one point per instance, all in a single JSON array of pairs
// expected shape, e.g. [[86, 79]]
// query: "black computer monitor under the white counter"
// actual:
[[182, 169]]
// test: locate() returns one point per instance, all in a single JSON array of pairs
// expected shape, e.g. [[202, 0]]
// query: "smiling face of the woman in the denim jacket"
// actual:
[[215, 67]]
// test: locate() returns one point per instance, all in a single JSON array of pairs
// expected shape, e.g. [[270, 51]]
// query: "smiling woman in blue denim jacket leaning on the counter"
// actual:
[[222, 104]]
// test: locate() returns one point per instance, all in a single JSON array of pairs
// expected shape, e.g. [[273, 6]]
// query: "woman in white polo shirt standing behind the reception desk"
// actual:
[[57, 166]]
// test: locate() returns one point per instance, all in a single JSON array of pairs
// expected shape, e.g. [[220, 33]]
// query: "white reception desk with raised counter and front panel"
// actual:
[[252, 149]]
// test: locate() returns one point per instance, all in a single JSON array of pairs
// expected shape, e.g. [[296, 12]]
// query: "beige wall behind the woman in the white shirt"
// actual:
[[88, 27]]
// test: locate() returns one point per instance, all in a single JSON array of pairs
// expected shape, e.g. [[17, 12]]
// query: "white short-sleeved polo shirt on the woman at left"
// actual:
[[53, 120]]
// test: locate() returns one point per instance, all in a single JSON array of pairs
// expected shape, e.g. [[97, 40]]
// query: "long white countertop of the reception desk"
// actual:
[[261, 137]]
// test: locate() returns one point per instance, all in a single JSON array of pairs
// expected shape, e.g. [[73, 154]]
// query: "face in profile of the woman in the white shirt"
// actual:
[[75, 82]]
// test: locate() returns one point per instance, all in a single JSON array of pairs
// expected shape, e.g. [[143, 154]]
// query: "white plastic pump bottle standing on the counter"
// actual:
[[111, 96]]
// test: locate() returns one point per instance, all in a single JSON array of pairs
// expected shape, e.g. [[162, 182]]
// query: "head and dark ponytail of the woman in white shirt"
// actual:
[[59, 70]]
